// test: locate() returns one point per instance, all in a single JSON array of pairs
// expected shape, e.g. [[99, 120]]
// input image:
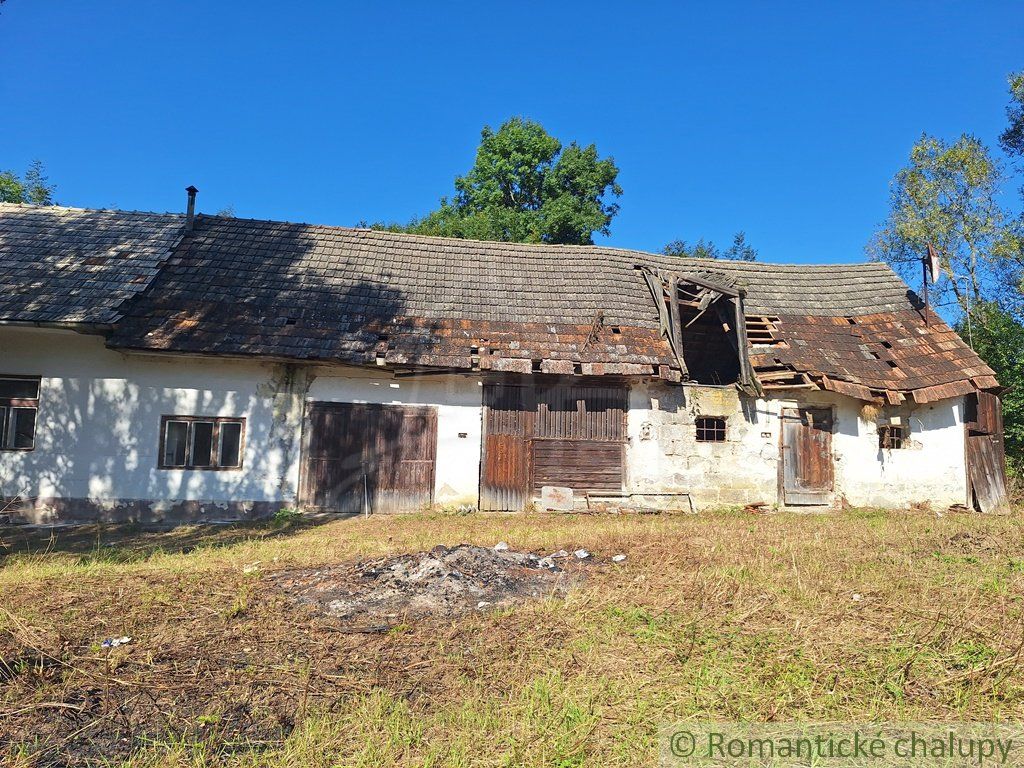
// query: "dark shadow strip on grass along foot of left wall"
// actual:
[[135, 542]]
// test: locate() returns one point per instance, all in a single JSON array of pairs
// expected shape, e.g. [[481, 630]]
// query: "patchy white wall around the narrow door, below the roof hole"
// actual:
[[664, 456]]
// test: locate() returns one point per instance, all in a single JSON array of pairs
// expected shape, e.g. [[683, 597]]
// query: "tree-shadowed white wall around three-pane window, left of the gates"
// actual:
[[99, 423]]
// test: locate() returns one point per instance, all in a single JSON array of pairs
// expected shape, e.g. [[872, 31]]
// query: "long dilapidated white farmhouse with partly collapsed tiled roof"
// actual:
[[163, 367]]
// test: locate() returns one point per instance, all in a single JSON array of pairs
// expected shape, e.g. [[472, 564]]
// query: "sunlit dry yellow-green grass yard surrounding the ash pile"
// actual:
[[855, 616]]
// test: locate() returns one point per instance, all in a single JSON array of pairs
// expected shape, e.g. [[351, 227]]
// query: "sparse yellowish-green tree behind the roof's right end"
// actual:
[[949, 195]]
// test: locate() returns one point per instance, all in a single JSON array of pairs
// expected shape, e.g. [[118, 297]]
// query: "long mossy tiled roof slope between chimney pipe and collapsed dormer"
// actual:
[[367, 297]]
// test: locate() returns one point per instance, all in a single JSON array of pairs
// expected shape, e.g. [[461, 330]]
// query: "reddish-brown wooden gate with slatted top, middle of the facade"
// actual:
[[538, 435]]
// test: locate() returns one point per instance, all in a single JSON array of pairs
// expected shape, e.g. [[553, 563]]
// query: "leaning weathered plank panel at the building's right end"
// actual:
[[987, 461]]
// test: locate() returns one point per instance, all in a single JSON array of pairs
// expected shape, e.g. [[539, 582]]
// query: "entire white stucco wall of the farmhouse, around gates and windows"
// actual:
[[99, 426]]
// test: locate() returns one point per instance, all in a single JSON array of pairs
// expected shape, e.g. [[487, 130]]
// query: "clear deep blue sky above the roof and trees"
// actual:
[[785, 120]]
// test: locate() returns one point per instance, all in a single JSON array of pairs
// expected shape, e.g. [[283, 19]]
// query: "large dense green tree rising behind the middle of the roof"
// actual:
[[526, 187]]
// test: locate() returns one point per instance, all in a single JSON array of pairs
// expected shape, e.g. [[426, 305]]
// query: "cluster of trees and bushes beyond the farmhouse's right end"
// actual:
[[950, 195]]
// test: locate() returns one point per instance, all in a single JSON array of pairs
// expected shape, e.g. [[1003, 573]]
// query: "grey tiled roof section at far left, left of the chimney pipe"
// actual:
[[68, 266]]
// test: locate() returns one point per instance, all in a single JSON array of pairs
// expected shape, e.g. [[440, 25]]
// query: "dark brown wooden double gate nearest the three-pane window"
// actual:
[[362, 457]]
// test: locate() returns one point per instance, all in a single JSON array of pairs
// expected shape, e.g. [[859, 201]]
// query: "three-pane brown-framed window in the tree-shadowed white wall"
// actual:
[[201, 443]]
